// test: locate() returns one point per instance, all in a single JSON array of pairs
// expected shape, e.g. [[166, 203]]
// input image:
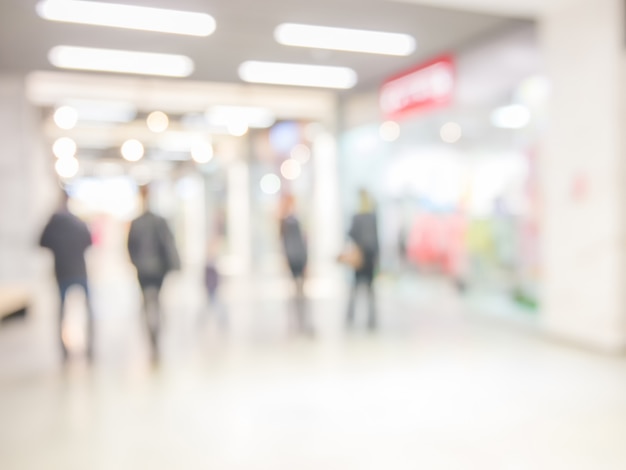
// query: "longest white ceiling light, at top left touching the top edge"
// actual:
[[127, 16]]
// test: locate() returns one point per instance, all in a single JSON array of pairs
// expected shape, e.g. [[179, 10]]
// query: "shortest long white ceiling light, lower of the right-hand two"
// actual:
[[278, 73]]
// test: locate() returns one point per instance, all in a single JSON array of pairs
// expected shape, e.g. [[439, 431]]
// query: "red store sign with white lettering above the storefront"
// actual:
[[426, 87]]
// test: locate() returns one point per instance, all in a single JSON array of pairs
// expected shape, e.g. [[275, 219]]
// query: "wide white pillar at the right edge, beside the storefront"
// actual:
[[583, 176]]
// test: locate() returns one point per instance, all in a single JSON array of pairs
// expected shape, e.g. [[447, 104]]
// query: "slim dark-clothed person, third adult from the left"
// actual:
[[296, 254]]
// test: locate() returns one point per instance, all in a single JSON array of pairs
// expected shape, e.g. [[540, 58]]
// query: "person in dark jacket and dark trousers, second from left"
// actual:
[[153, 252]]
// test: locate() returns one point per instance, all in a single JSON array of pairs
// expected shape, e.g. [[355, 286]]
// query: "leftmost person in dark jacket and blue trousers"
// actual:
[[68, 238]]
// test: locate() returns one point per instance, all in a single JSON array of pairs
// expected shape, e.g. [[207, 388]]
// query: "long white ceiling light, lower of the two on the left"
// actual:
[[111, 60]]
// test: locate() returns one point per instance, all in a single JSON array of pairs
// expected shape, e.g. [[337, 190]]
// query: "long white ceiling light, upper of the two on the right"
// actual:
[[342, 39]]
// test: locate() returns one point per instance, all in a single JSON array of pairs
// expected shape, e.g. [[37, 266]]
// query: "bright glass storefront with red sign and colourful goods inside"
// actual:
[[450, 157]]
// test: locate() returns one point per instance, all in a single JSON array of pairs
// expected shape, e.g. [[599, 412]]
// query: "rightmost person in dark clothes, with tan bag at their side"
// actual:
[[364, 233]]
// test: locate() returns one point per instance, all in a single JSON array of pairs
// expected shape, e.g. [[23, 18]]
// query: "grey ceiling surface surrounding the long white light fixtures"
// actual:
[[245, 32]]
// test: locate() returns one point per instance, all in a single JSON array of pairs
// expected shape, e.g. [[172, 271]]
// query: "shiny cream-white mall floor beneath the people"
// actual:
[[434, 388]]
